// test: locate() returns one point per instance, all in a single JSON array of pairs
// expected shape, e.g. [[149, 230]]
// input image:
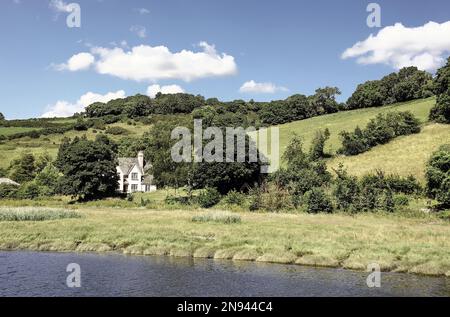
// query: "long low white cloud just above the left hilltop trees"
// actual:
[[64, 108]]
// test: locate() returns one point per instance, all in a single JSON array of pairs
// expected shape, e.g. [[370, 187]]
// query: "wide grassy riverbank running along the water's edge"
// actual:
[[396, 243]]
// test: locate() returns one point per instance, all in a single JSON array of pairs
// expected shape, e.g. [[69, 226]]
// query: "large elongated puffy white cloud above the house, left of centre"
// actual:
[[153, 63]]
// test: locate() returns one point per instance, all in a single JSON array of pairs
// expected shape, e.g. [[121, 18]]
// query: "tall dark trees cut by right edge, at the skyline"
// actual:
[[441, 111]]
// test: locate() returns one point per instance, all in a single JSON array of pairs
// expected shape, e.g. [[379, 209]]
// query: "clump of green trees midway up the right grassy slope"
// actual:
[[379, 130]]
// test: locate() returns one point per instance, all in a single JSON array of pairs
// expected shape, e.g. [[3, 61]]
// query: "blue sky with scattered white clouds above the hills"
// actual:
[[277, 47]]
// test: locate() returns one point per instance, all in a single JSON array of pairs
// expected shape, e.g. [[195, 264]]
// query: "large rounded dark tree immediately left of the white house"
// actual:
[[89, 168]]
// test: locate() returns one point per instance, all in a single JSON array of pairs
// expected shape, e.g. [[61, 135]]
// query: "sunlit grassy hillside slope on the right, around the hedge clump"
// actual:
[[405, 155]]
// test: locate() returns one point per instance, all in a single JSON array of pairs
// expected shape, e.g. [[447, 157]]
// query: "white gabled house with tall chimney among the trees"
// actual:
[[134, 175]]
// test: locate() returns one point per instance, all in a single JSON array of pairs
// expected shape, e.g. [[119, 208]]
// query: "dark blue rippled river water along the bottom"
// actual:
[[44, 274]]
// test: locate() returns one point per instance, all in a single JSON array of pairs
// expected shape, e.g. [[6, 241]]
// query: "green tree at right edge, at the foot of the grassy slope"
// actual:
[[438, 176]]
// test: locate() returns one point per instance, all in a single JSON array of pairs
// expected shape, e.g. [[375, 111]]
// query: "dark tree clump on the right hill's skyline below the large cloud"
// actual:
[[408, 84]]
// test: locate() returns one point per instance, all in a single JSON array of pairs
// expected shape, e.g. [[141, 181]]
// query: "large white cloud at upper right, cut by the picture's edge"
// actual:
[[399, 46]]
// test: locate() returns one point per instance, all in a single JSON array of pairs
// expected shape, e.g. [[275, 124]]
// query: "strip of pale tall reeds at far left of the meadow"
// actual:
[[36, 214]]
